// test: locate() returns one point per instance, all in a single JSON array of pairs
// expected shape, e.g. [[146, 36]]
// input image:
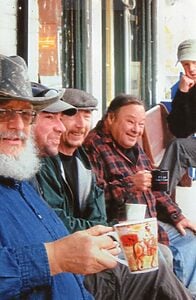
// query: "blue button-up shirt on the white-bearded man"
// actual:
[[26, 223]]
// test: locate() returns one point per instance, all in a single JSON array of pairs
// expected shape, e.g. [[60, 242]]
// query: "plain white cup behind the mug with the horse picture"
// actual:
[[135, 211]]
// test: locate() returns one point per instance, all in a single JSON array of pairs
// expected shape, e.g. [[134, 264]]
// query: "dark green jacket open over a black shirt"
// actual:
[[57, 192]]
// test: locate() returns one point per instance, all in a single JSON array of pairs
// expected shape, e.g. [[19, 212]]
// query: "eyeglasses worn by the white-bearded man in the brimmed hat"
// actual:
[[28, 116]]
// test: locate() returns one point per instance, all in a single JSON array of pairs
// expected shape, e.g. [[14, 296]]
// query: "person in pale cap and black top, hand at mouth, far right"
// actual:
[[181, 152]]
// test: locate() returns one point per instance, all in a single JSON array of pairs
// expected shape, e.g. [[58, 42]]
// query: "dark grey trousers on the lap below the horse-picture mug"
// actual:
[[120, 284]]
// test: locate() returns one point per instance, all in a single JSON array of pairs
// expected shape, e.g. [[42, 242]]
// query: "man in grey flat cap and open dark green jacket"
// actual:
[[66, 180]]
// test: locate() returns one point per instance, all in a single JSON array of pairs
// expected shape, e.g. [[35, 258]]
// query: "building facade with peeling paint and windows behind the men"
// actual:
[[105, 47]]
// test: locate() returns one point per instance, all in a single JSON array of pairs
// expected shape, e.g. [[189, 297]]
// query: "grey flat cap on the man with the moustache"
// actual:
[[80, 99]]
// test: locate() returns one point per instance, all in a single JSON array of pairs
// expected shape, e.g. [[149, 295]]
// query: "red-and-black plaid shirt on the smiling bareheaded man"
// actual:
[[114, 170]]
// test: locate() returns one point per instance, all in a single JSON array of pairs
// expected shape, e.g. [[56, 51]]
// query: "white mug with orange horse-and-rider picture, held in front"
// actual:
[[139, 242]]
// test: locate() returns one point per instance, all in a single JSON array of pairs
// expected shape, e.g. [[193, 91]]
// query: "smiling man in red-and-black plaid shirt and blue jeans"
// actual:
[[123, 170]]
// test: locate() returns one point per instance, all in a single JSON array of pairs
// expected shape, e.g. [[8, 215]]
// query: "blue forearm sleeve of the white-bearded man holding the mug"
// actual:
[[22, 269]]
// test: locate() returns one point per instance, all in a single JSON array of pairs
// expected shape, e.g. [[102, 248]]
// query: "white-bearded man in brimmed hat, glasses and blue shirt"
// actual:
[[38, 257]]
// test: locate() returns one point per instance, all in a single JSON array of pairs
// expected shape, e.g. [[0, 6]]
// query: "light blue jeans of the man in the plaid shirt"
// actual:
[[184, 253]]
